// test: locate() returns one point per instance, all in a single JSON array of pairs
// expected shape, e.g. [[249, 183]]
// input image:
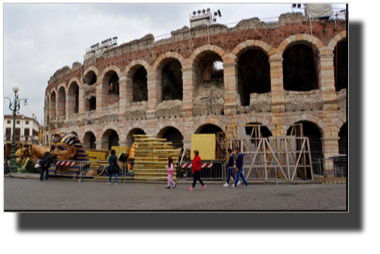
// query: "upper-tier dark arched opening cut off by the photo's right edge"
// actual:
[[342, 68]]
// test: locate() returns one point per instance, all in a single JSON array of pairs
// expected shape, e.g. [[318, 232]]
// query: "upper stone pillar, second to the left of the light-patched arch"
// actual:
[[154, 93]]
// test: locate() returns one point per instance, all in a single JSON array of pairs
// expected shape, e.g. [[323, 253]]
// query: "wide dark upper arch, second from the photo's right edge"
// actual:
[[299, 70]]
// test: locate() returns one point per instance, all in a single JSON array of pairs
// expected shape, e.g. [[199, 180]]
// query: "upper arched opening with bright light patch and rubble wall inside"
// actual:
[[208, 96]]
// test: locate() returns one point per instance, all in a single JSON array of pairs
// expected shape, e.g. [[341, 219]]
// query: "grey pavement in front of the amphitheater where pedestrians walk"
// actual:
[[32, 194]]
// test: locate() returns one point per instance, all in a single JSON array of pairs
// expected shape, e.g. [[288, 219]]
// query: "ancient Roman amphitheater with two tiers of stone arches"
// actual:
[[272, 73]]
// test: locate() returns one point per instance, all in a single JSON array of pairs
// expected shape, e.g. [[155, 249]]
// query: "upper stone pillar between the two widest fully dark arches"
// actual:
[[277, 90]]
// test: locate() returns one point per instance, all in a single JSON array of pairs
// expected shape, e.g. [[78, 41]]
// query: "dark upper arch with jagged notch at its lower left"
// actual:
[[253, 75]]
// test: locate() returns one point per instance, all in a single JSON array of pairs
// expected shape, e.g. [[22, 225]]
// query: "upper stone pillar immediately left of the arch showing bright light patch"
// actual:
[[188, 77]]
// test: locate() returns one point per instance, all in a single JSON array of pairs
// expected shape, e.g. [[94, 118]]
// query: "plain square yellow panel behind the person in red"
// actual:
[[205, 144]]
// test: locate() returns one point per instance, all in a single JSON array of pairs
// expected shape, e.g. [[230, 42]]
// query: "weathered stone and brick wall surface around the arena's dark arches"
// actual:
[[216, 103]]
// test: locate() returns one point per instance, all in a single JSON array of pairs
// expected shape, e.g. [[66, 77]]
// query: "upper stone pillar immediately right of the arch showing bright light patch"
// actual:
[[230, 86]]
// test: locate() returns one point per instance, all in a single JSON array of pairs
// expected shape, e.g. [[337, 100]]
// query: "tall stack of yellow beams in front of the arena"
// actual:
[[151, 157]]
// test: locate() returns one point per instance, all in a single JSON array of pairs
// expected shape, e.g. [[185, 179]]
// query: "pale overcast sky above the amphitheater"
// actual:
[[39, 39]]
